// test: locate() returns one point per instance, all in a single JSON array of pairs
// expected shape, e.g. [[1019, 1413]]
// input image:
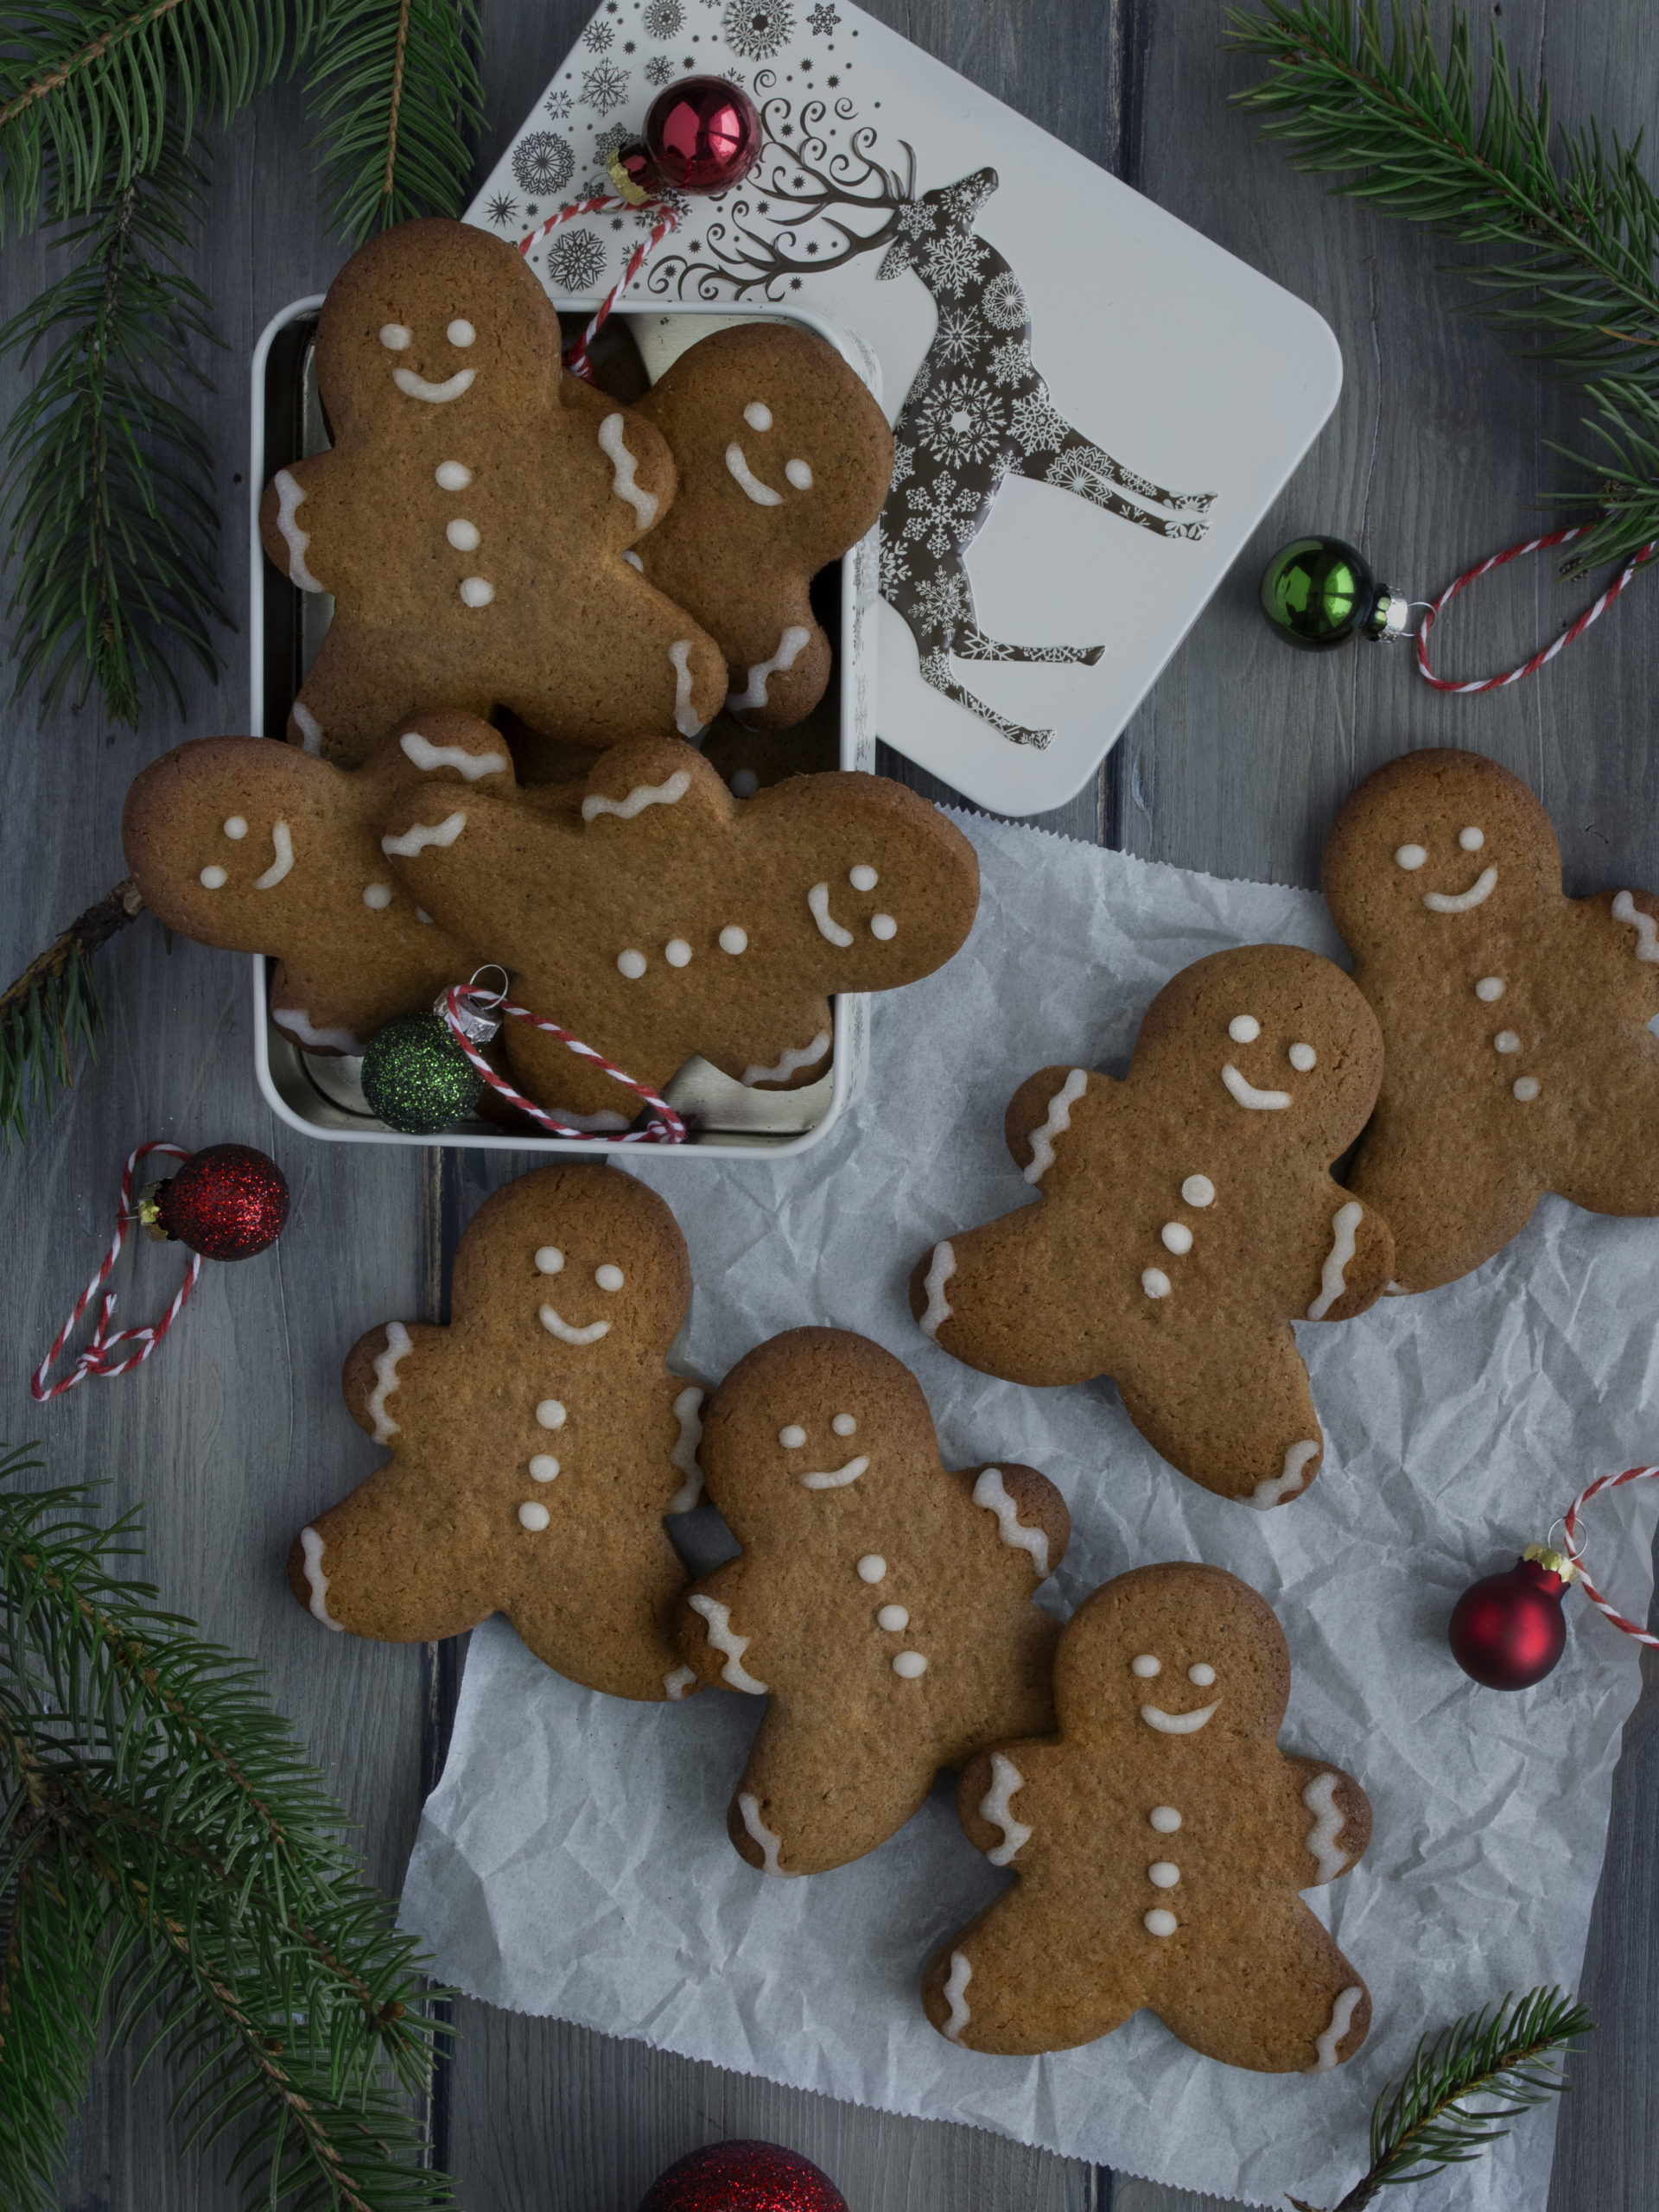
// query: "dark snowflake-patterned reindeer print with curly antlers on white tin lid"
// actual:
[[977, 413]]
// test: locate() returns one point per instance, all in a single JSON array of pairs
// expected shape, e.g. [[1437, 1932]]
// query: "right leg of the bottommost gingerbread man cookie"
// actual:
[[1273, 1994]]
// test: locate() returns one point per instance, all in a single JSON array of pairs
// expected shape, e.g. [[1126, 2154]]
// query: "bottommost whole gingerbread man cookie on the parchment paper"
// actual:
[[1160, 1846]]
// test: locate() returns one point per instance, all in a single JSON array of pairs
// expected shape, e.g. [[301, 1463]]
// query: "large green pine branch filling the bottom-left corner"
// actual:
[[160, 1815]]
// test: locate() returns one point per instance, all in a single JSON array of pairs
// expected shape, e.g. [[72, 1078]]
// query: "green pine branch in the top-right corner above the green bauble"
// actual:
[[1578, 233]]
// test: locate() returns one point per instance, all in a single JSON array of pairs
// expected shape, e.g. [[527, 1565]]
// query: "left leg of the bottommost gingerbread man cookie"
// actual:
[[1012, 1983]]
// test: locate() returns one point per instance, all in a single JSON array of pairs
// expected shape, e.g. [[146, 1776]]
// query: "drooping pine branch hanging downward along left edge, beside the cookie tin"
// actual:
[[112, 521]]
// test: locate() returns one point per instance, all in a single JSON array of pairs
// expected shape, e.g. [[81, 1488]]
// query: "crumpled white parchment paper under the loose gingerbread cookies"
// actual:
[[574, 1857]]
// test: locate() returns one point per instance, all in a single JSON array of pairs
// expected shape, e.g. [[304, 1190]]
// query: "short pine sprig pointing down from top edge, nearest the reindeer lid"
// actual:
[[397, 94]]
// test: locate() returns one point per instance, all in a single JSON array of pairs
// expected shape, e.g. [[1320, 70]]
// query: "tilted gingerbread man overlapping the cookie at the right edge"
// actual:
[[1185, 1220]]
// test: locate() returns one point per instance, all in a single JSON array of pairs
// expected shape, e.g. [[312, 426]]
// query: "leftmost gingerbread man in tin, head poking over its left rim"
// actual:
[[258, 848]]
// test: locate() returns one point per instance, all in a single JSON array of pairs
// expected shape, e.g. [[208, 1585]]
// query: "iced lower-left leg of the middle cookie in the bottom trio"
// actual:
[[791, 1808]]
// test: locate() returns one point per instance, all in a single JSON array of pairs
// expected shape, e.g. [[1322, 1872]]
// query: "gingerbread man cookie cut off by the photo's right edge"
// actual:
[[1516, 1019]]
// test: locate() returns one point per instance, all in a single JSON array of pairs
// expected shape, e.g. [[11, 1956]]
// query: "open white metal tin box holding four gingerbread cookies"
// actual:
[[322, 1096]]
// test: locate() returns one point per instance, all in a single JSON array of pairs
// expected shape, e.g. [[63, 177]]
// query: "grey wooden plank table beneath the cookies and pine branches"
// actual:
[[1235, 764]]
